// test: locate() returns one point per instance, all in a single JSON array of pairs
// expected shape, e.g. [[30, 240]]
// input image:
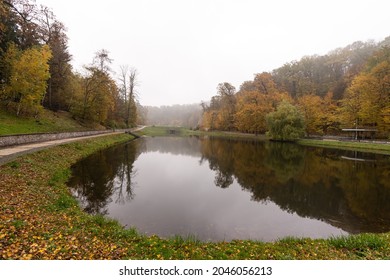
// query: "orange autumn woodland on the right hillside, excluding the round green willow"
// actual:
[[347, 88]]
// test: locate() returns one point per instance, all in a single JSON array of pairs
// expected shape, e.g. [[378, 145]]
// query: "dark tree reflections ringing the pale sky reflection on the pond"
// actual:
[[312, 182]]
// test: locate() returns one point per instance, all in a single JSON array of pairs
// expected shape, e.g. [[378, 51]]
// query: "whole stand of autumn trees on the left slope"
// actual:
[[35, 71]]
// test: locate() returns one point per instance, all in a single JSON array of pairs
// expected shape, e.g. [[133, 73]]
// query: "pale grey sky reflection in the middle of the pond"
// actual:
[[175, 195]]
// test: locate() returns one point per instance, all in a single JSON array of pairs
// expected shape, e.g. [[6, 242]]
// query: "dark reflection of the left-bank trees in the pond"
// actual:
[[97, 178]]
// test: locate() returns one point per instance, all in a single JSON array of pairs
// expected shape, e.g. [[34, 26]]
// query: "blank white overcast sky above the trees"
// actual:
[[182, 49]]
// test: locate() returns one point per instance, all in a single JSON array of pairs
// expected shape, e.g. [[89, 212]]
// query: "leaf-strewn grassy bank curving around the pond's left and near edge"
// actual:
[[39, 219]]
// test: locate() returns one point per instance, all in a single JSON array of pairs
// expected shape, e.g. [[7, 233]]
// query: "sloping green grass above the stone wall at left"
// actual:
[[48, 121]]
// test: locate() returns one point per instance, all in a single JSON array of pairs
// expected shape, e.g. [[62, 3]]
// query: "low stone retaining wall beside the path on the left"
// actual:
[[11, 140]]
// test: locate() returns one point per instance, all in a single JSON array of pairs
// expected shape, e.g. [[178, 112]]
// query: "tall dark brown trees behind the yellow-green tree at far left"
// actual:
[[26, 26]]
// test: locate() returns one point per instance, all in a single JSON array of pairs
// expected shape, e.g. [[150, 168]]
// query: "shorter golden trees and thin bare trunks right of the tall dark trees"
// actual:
[[101, 99]]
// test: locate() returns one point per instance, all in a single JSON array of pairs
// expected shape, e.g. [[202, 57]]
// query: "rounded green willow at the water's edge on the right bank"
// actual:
[[286, 123]]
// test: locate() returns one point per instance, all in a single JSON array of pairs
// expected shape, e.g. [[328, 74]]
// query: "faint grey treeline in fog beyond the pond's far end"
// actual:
[[175, 115]]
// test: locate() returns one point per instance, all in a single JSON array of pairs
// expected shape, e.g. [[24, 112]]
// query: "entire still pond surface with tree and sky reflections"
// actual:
[[218, 189]]
